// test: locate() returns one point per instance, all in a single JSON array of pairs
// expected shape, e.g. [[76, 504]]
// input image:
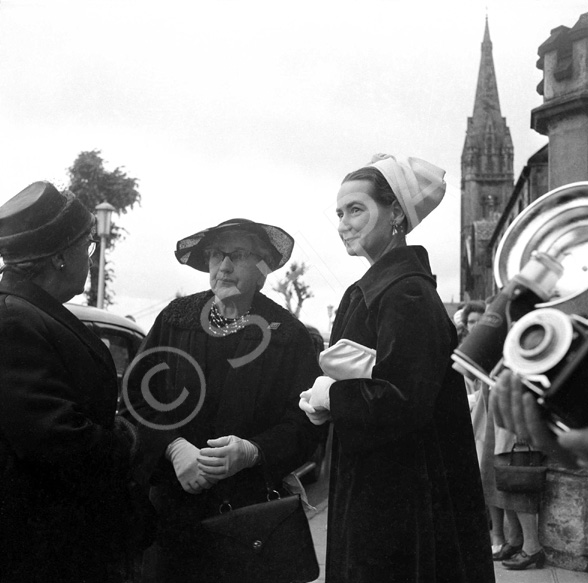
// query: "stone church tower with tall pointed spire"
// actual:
[[486, 178]]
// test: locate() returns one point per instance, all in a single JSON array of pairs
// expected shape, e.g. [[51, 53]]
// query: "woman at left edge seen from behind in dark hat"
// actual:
[[64, 458]]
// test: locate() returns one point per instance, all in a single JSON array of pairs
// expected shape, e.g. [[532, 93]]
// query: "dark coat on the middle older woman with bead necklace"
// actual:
[[257, 401]]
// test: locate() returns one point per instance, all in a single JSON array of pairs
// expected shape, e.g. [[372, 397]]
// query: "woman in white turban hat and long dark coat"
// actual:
[[405, 500]]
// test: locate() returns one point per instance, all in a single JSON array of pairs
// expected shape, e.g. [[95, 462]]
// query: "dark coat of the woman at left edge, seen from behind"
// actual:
[[64, 460]]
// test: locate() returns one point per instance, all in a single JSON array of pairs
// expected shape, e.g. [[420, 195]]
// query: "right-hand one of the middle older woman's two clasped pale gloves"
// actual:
[[226, 456]]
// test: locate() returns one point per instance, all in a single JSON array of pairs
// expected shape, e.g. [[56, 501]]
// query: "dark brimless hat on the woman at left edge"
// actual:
[[40, 221]]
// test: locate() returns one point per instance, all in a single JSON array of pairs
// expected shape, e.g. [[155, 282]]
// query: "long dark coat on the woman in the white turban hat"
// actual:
[[405, 503]]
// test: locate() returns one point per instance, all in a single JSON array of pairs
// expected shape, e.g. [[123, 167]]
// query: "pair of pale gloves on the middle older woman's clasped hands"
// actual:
[[200, 469]]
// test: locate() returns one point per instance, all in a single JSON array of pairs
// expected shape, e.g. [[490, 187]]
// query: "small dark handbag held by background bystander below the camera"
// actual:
[[520, 471]]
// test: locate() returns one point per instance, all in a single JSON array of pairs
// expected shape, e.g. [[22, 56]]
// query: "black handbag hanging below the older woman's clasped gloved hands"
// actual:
[[268, 542]]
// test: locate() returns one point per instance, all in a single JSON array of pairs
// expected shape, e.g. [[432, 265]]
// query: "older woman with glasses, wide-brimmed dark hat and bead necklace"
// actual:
[[223, 419]]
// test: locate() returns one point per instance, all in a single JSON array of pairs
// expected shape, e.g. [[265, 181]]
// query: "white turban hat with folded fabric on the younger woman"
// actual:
[[417, 184]]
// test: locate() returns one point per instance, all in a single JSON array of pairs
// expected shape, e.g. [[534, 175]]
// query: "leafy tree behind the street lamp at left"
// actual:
[[93, 184]]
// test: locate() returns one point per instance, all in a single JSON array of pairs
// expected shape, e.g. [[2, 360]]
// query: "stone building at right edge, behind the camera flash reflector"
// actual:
[[563, 118]]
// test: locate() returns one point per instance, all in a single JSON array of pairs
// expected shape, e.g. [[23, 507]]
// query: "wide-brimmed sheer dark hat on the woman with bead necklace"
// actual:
[[190, 250]]
